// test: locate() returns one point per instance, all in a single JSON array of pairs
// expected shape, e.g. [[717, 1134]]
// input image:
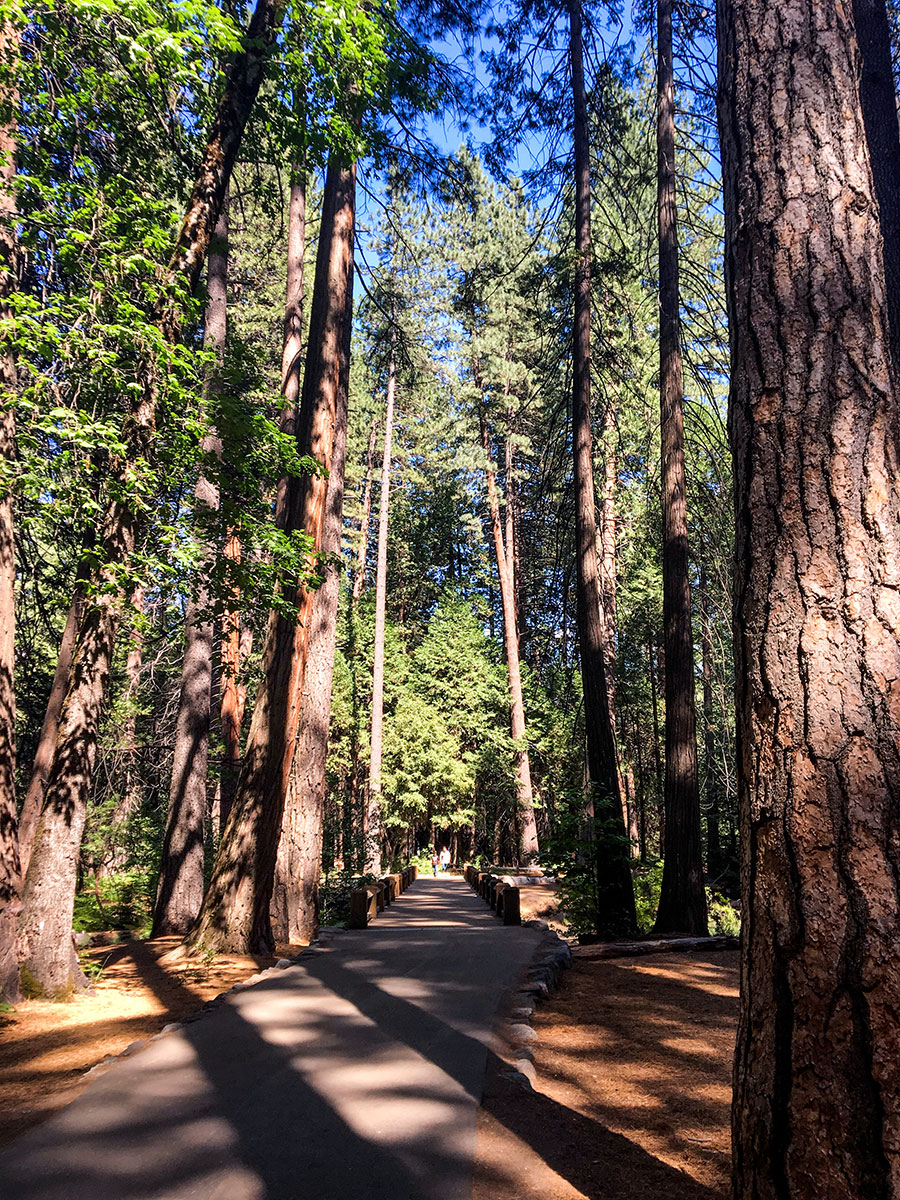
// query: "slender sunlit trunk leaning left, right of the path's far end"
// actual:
[[527, 825]]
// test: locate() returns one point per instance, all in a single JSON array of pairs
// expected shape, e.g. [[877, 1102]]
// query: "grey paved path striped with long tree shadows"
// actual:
[[353, 1076]]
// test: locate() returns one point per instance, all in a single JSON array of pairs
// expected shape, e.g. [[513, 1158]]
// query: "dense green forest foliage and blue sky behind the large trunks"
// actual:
[[464, 296]]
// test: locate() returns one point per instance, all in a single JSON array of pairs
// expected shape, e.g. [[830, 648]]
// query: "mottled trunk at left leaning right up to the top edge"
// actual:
[[49, 898]]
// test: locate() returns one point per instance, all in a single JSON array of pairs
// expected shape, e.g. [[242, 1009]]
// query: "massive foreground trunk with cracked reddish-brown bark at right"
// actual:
[[817, 441]]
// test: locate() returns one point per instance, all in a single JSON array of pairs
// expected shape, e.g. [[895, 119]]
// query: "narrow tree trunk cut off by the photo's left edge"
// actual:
[[10, 866]]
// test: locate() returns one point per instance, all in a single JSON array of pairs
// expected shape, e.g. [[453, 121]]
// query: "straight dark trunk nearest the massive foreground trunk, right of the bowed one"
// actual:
[[683, 899]]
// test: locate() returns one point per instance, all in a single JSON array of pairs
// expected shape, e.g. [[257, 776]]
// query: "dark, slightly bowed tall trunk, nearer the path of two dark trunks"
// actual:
[[615, 891]]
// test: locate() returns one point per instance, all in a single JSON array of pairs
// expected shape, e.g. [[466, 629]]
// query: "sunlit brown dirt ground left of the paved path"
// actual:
[[46, 1048]]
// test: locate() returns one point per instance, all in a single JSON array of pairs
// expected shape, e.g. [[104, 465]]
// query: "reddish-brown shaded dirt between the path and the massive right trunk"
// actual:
[[634, 1087]]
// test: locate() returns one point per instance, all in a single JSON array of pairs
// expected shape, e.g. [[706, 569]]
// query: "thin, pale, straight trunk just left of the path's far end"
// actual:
[[374, 807]]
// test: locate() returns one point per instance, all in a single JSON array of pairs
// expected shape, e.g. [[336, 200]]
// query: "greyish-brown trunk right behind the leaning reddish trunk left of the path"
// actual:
[[295, 908]]
